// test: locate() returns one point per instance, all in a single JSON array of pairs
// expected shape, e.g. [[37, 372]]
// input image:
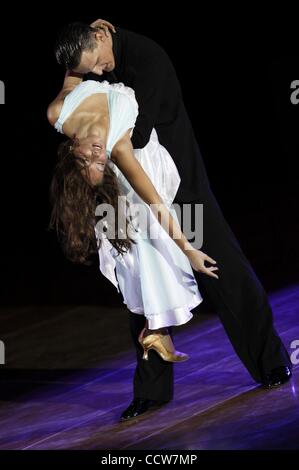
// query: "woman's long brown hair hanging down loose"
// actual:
[[74, 202]]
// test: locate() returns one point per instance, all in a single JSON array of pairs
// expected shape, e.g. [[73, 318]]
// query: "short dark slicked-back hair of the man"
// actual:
[[71, 42]]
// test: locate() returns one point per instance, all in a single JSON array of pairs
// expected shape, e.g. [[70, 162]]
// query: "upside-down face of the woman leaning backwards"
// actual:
[[91, 158]]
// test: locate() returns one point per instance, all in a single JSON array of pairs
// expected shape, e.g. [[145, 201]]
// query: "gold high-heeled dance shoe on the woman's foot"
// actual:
[[163, 345]]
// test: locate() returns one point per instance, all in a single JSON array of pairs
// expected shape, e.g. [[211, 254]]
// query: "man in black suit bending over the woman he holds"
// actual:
[[239, 298]]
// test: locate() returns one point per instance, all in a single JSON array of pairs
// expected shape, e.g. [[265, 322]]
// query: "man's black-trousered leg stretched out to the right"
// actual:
[[239, 297]]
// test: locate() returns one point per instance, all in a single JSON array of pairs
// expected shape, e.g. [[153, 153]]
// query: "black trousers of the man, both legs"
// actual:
[[239, 300]]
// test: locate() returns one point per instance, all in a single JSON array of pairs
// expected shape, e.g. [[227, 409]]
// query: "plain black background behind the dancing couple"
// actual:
[[235, 68]]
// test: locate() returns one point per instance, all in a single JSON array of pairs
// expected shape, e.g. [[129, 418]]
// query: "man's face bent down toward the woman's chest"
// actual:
[[100, 59]]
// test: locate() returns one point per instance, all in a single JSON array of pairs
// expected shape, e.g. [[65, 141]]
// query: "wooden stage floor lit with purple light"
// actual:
[[68, 377]]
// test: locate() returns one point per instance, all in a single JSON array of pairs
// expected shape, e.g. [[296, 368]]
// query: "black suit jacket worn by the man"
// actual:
[[144, 66]]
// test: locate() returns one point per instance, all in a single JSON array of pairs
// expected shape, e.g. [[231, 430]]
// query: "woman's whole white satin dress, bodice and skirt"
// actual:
[[154, 277]]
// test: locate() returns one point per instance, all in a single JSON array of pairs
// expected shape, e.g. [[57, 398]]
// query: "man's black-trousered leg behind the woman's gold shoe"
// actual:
[[153, 379]]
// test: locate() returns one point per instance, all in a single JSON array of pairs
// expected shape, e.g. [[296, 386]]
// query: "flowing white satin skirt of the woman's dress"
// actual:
[[154, 277]]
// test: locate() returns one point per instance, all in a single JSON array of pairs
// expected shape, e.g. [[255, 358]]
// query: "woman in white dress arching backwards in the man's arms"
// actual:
[[154, 260]]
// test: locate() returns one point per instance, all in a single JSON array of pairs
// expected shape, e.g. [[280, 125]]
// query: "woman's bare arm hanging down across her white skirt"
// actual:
[[123, 156]]
